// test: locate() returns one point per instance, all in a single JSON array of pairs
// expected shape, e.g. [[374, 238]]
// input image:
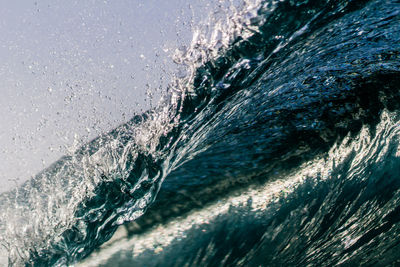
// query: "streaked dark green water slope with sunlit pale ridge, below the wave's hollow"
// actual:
[[335, 209]]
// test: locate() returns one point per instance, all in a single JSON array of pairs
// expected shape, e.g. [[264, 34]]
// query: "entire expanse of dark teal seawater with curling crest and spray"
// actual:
[[297, 112]]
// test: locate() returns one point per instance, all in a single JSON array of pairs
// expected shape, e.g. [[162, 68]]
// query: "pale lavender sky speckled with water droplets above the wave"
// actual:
[[73, 69]]
